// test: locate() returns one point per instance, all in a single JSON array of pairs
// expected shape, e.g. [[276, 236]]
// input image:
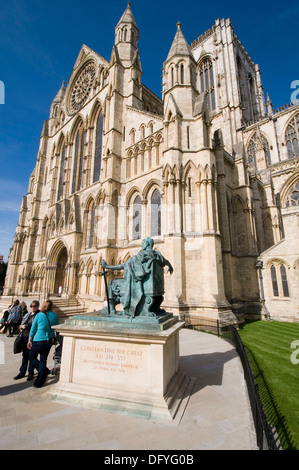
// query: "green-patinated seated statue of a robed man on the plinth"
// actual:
[[141, 289]]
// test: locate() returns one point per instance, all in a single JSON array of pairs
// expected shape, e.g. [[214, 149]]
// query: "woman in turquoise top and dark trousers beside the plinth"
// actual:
[[40, 341]]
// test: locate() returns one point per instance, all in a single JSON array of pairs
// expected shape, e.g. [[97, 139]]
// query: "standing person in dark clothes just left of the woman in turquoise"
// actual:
[[25, 328]]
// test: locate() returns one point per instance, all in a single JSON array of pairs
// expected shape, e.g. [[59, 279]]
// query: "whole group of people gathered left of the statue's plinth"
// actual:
[[37, 338]]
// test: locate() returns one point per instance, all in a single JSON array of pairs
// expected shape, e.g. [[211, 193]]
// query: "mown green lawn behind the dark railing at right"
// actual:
[[273, 361]]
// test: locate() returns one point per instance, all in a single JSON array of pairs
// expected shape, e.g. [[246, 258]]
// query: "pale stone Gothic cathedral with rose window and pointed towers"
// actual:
[[210, 172]]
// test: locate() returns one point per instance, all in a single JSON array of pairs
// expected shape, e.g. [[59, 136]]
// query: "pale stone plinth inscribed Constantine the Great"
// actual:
[[114, 366]]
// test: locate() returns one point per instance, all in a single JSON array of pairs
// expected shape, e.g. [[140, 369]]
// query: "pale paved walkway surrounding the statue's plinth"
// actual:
[[217, 416]]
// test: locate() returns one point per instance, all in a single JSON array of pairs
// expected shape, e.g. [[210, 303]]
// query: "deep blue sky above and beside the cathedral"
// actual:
[[40, 41]]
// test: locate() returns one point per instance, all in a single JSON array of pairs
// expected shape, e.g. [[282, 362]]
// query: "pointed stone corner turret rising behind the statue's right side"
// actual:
[[190, 188]]
